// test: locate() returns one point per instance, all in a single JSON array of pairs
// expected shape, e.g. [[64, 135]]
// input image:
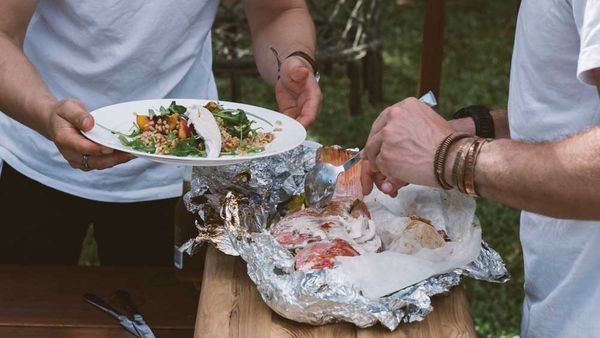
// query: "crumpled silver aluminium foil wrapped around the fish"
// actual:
[[236, 203]]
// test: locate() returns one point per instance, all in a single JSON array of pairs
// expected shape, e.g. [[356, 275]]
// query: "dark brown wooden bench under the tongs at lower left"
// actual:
[[46, 301]]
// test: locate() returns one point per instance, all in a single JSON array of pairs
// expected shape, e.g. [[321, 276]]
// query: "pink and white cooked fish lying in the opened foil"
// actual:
[[343, 228]]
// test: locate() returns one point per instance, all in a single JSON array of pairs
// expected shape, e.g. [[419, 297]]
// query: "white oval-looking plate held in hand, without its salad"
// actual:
[[120, 117]]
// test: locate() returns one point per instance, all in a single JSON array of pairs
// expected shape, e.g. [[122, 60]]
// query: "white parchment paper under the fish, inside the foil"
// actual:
[[379, 274]]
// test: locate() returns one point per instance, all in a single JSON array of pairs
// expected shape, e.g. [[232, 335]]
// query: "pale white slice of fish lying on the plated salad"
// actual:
[[206, 126]]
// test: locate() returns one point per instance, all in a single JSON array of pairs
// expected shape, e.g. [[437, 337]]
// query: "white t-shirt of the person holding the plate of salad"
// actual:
[[105, 52]]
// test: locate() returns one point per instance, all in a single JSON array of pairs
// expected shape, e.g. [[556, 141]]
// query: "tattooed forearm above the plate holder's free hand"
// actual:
[[285, 26]]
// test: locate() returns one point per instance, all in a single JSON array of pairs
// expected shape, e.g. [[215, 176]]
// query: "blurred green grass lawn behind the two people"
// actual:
[[477, 53]]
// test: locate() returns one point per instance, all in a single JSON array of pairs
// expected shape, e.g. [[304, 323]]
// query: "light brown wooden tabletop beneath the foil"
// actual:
[[231, 307]]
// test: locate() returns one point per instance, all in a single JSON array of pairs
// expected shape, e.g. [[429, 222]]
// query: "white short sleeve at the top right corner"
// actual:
[[587, 19]]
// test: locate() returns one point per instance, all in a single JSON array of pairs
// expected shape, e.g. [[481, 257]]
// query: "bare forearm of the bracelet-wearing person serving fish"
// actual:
[[558, 179]]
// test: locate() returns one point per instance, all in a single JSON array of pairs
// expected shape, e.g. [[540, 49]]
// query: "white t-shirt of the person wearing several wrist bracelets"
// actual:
[[552, 95]]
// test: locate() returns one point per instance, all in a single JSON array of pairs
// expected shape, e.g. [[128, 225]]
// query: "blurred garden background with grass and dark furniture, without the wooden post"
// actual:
[[370, 54]]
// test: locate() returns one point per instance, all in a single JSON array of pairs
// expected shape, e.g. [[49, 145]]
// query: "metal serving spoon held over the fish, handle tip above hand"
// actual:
[[321, 180]]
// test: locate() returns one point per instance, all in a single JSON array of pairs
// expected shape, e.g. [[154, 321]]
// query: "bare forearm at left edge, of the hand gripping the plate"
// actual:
[[23, 95]]
